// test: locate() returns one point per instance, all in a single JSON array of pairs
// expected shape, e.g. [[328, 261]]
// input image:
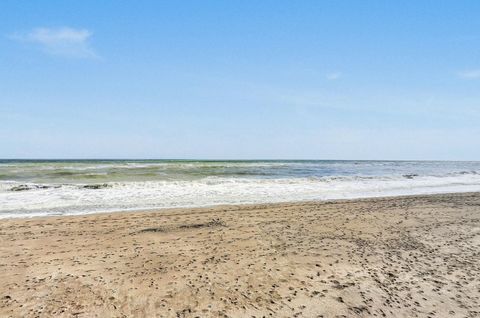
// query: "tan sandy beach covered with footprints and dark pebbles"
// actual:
[[414, 256]]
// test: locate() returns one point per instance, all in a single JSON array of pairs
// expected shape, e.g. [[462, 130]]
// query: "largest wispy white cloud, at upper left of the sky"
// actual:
[[65, 41]]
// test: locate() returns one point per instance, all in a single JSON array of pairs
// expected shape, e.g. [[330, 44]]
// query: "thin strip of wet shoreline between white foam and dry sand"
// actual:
[[232, 205]]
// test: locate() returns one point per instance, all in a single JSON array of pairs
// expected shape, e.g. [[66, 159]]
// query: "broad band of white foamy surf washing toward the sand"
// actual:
[[75, 199]]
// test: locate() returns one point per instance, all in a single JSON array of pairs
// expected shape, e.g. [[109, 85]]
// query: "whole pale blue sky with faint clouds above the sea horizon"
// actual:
[[240, 79]]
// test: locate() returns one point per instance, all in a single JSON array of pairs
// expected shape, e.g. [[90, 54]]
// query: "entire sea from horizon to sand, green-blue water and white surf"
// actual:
[[63, 187]]
